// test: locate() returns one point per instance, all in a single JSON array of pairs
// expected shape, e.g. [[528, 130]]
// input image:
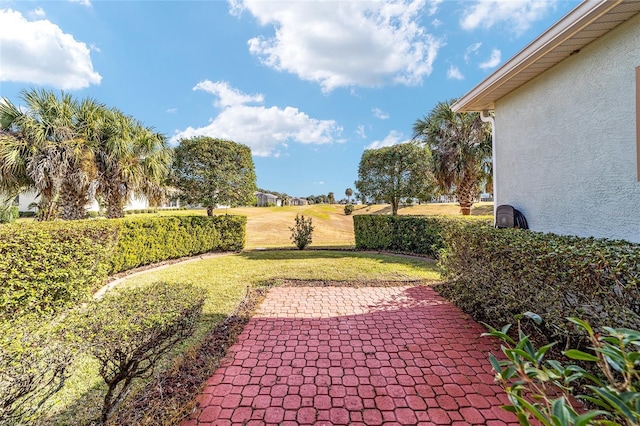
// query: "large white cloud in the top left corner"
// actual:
[[39, 52]]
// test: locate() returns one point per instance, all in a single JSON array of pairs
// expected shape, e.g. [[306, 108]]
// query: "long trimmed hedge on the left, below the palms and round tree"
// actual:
[[47, 266]]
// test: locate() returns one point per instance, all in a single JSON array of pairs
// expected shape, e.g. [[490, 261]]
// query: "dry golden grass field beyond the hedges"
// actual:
[[269, 226]]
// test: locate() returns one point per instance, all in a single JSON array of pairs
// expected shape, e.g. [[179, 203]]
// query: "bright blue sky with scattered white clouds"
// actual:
[[308, 85]]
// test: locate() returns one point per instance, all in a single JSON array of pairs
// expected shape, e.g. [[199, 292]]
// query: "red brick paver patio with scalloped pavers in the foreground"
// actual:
[[341, 355]]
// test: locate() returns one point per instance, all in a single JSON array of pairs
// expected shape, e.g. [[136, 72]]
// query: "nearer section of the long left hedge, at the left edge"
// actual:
[[45, 267]]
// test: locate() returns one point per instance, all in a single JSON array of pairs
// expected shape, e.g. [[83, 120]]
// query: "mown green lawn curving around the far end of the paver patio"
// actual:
[[224, 280]]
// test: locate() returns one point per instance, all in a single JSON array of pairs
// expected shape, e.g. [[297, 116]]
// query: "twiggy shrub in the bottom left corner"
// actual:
[[33, 366]]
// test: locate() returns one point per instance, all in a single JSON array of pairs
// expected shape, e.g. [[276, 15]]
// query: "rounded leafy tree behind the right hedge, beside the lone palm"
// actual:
[[392, 173]]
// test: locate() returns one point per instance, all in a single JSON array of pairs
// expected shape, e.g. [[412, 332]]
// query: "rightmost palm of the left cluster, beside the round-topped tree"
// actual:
[[131, 159]]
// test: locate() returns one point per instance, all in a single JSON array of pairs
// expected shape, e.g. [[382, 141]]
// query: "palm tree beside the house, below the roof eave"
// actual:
[[461, 150]]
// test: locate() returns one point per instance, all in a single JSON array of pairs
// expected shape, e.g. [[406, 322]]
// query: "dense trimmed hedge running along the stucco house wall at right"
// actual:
[[497, 274]]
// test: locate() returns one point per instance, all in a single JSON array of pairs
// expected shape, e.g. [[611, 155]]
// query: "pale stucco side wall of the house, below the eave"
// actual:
[[566, 142]]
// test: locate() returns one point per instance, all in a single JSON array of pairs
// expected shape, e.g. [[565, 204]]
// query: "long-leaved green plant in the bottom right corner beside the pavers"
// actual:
[[542, 389]]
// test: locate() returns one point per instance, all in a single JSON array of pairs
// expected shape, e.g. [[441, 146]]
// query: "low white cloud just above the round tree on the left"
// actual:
[[263, 129]]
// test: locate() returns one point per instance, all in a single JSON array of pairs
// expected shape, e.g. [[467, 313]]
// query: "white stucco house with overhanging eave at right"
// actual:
[[566, 124]]
